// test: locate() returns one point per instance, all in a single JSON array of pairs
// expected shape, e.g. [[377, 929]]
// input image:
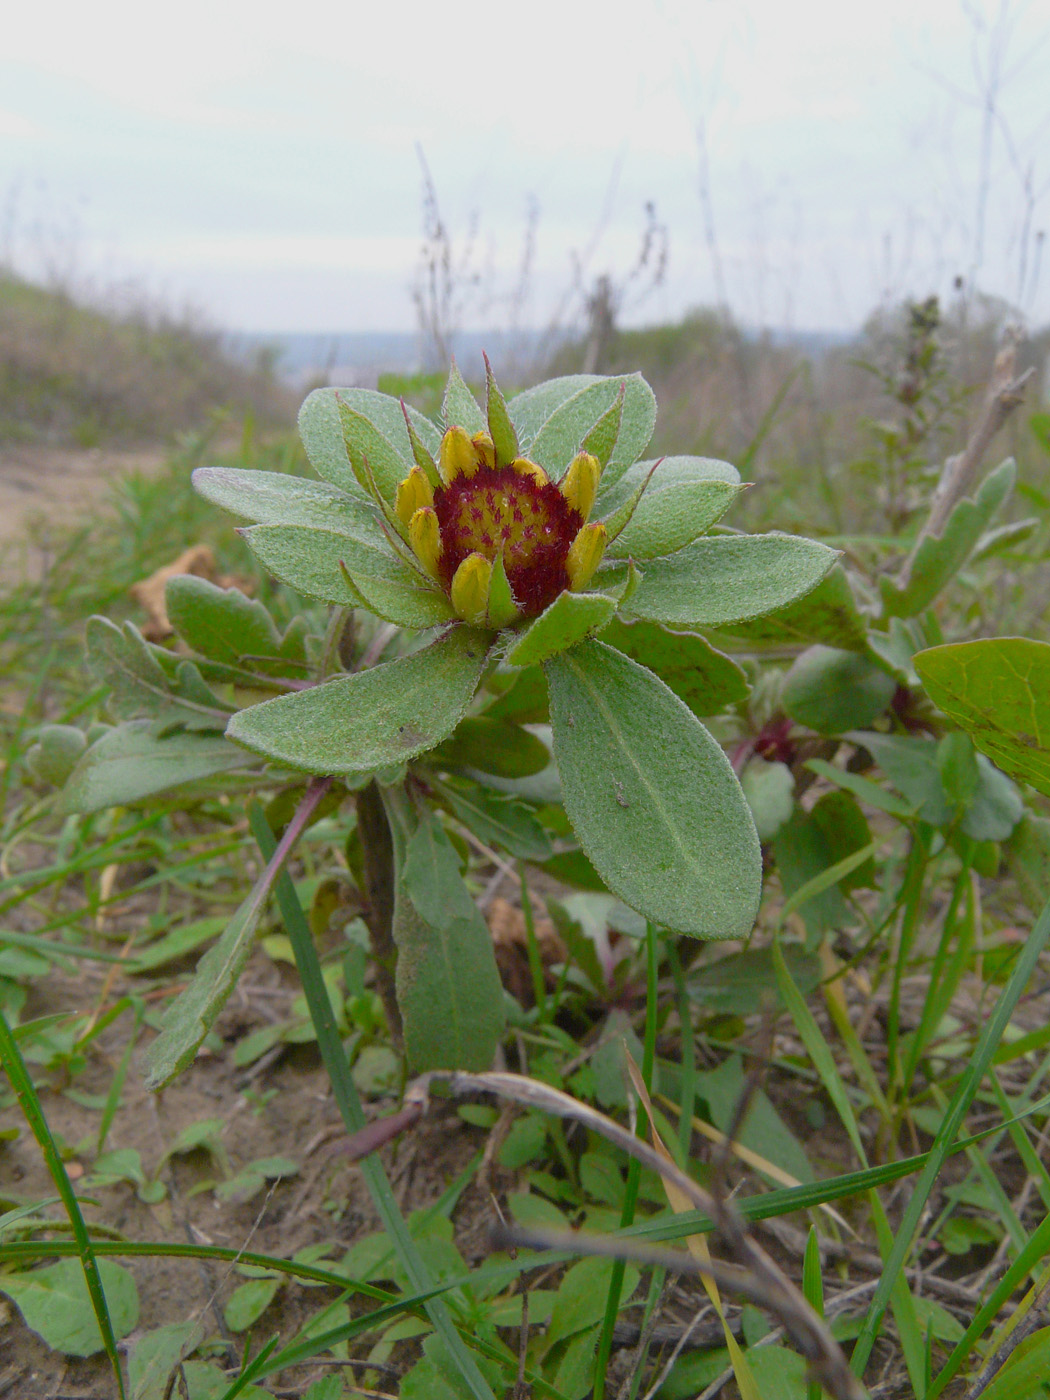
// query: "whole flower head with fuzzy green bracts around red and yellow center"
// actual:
[[652, 799]]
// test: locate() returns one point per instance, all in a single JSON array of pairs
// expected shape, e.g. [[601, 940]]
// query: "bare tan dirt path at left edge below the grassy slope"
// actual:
[[61, 485]]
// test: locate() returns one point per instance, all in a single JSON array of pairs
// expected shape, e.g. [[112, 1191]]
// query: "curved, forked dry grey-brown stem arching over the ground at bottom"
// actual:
[[752, 1275]]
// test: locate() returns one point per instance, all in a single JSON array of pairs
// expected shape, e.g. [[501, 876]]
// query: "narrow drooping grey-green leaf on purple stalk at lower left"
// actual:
[[190, 1018]]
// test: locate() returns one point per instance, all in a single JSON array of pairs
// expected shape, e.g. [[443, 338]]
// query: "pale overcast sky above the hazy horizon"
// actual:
[[810, 160]]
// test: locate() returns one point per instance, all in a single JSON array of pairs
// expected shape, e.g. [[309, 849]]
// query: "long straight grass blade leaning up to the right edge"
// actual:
[[960, 1104]]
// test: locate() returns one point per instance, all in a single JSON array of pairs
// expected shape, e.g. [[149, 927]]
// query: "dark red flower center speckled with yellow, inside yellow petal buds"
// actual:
[[499, 509]]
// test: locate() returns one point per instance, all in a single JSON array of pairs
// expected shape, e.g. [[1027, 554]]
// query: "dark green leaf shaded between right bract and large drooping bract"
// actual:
[[688, 664]]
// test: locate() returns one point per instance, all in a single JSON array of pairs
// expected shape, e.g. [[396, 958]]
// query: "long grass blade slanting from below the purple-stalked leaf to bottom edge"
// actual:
[[349, 1104]]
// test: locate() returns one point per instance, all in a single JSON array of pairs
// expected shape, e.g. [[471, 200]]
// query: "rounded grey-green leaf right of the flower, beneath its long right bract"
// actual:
[[834, 691]]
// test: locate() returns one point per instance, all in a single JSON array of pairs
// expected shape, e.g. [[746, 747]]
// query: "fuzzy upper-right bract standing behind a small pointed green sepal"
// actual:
[[565, 432]]
